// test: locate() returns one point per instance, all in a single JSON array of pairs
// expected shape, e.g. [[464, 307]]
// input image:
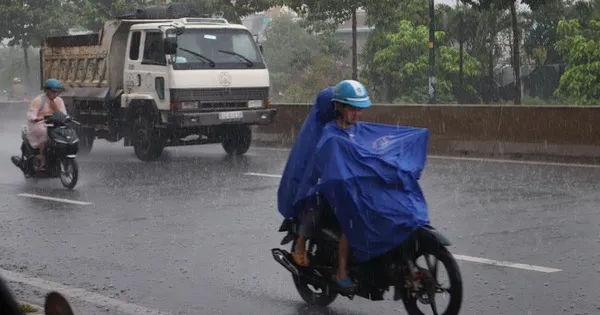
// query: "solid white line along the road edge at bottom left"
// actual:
[[79, 294]]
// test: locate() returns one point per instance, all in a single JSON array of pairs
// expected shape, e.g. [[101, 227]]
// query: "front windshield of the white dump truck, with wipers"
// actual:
[[217, 48]]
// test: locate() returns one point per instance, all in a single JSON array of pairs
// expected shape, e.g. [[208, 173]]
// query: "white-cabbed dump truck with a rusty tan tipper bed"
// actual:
[[157, 83]]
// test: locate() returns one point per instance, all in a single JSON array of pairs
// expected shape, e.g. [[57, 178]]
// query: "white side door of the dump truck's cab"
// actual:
[[146, 69]]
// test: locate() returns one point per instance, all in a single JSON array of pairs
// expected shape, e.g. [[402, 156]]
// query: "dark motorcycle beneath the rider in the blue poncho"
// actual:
[[398, 268]]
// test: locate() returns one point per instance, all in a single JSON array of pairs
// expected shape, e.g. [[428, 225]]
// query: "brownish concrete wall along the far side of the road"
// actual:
[[563, 133]]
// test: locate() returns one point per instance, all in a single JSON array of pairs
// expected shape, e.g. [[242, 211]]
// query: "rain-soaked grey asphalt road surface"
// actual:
[[191, 234]]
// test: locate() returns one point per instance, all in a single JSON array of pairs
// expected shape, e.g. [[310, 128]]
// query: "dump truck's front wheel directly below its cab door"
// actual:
[[147, 143]]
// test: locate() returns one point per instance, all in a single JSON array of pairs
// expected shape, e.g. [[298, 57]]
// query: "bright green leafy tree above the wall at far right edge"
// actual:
[[581, 50]]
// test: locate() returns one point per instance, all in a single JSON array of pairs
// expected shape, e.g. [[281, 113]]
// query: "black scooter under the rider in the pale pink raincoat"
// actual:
[[63, 144]]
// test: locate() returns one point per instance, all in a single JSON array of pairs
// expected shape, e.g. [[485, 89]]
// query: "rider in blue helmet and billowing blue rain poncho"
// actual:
[[365, 174]]
